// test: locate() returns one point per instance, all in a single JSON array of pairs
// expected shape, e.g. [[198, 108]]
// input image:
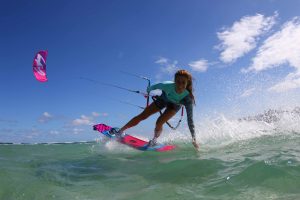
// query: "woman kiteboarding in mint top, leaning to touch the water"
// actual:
[[174, 94]]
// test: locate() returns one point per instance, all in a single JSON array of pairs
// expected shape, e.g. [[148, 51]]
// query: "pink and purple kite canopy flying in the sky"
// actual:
[[39, 66]]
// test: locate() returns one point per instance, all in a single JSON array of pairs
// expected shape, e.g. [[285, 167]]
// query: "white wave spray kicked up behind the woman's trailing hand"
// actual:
[[223, 130]]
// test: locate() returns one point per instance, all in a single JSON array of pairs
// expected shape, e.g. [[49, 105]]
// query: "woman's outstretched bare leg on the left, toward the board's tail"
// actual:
[[150, 110]]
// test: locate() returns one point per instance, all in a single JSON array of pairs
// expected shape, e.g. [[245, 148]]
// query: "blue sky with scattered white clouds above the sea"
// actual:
[[244, 56]]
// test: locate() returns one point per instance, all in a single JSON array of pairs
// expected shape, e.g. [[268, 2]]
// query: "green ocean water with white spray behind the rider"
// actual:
[[237, 160]]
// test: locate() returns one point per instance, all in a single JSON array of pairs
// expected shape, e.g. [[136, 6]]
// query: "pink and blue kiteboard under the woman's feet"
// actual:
[[132, 141]]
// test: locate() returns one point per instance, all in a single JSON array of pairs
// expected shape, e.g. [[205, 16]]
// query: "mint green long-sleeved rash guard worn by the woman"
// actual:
[[169, 94]]
